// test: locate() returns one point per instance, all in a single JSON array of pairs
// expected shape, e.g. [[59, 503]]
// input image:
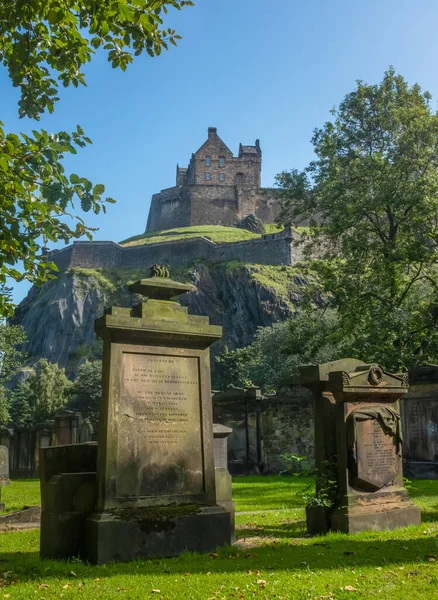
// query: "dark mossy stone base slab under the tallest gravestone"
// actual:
[[112, 536]]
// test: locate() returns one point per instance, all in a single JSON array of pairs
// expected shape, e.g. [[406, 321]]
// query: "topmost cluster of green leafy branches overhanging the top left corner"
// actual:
[[47, 42]]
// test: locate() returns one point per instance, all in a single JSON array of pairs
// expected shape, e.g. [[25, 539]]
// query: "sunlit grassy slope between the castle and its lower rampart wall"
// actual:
[[216, 233]]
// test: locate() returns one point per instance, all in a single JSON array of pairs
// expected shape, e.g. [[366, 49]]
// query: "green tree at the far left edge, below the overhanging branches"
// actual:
[[10, 360]]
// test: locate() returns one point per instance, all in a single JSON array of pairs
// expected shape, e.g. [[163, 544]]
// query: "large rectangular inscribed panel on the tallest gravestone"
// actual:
[[160, 426]]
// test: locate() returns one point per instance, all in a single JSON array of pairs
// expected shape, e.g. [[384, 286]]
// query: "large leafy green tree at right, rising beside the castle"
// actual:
[[372, 197]]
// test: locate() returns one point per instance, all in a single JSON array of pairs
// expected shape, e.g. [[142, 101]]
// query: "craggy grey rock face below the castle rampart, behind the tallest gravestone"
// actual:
[[59, 317]]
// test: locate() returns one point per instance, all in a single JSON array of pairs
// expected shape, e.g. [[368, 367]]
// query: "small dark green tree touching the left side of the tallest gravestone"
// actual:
[[86, 392]]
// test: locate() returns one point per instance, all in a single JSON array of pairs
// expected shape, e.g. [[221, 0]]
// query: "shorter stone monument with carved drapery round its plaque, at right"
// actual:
[[358, 432]]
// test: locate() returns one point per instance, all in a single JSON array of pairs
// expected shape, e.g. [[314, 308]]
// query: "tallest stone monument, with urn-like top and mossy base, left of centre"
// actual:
[[155, 471]]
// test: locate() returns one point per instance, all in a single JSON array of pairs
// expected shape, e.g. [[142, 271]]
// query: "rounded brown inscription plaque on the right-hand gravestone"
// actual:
[[377, 459]]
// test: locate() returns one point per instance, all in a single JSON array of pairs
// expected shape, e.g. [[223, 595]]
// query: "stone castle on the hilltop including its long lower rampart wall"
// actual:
[[217, 188]]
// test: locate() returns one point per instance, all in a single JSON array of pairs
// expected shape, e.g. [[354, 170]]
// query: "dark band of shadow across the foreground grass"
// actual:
[[323, 553]]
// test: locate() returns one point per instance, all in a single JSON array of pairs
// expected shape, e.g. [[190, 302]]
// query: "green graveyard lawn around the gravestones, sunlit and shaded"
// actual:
[[271, 560]]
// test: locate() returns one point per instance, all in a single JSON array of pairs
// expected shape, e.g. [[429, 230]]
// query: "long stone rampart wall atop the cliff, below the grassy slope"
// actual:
[[271, 249]]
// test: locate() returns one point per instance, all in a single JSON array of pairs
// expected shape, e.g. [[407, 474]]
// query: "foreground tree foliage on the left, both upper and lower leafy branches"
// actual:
[[43, 44]]
